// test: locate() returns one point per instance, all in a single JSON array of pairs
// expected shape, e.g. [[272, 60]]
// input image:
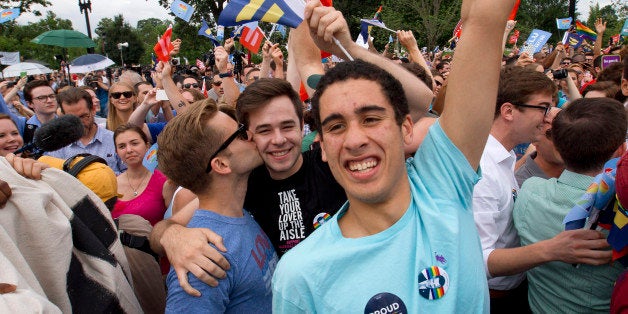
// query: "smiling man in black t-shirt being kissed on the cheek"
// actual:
[[293, 193]]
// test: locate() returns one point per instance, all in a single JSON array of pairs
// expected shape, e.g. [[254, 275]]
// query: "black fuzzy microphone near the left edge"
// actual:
[[56, 134]]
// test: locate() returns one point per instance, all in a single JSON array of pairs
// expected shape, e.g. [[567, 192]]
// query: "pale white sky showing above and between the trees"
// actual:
[[135, 10]]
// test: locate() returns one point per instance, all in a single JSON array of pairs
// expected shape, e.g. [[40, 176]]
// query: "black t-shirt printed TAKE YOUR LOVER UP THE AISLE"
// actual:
[[291, 209]]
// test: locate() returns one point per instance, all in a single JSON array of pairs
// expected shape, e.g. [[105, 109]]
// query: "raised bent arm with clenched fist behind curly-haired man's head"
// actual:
[[327, 22]]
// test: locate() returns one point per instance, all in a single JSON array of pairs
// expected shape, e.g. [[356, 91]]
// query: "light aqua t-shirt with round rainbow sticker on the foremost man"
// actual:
[[430, 261]]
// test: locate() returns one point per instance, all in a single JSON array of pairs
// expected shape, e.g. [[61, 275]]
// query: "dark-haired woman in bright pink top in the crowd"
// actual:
[[142, 193]]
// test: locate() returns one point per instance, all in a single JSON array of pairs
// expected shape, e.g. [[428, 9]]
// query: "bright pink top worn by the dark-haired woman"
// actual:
[[150, 204]]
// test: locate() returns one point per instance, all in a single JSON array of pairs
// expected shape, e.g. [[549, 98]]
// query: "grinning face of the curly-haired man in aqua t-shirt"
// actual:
[[362, 141]]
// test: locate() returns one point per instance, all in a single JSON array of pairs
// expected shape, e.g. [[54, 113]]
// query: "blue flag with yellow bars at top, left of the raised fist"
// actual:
[[284, 12]]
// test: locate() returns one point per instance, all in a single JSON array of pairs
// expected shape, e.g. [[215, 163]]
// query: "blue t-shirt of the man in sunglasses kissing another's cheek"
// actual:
[[247, 288]]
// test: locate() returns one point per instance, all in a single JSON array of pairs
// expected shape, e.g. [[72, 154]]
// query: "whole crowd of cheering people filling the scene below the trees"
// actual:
[[401, 182]]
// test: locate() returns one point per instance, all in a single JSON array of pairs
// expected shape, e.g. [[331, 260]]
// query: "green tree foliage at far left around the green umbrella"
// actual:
[[14, 37]]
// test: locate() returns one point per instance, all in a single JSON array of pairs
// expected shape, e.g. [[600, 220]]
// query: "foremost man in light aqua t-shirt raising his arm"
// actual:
[[405, 241]]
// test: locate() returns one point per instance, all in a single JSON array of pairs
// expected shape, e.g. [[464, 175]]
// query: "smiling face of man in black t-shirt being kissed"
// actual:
[[277, 134]]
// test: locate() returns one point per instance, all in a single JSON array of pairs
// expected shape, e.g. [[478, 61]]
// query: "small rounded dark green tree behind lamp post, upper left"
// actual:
[[111, 32]]
